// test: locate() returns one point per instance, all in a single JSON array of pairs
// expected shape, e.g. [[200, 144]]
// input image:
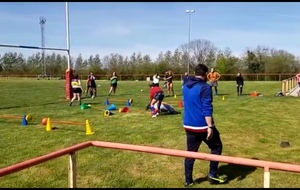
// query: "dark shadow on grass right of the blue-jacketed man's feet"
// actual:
[[233, 171]]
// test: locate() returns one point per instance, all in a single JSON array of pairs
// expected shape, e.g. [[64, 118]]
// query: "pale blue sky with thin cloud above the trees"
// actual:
[[149, 28]]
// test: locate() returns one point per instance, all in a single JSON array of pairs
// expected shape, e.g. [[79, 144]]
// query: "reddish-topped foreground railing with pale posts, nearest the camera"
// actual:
[[267, 165]]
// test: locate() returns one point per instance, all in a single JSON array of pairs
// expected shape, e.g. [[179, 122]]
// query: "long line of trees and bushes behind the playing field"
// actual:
[[260, 59]]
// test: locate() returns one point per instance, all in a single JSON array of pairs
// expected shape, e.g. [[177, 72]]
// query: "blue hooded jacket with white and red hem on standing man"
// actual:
[[197, 97]]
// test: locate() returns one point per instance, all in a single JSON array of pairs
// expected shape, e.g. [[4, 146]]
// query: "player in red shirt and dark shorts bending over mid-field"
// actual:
[[156, 96]]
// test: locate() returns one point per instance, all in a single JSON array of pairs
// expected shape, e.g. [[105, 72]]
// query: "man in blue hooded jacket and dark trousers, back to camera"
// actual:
[[199, 124]]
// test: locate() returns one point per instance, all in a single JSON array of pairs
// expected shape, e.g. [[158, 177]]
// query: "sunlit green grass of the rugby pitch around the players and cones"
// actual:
[[250, 128]]
